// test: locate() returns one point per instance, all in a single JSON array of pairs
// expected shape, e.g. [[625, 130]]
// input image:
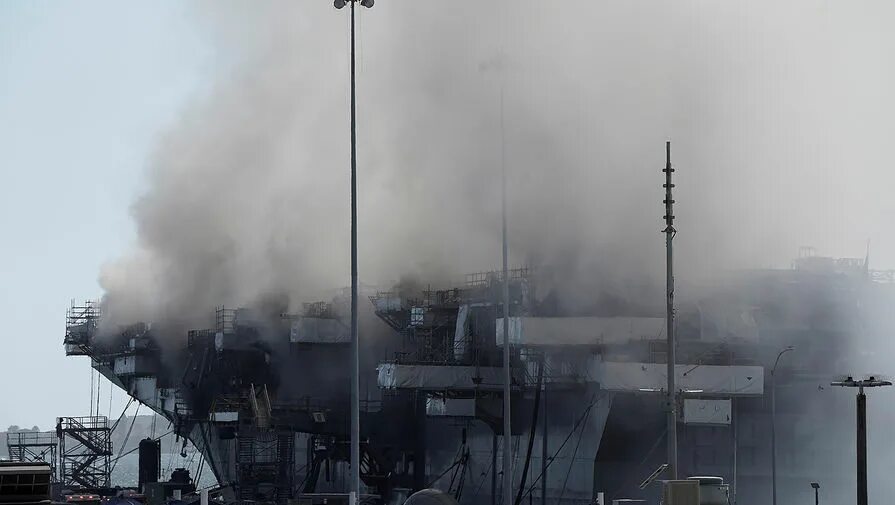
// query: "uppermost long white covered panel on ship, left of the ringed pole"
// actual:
[[579, 330]]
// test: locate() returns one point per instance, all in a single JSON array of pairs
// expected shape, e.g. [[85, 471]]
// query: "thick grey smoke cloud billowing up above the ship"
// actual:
[[247, 195]]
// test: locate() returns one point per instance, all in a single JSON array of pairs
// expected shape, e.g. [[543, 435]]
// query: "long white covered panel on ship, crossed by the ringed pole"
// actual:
[[694, 379]]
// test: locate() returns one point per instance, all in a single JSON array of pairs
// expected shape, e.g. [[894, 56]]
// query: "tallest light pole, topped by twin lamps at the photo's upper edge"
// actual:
[[355, 350]]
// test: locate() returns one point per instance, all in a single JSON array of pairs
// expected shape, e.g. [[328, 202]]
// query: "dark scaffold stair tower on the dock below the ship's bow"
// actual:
[[85, 449]]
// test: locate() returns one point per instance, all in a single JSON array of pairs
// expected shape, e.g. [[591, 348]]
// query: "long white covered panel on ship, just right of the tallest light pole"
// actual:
[[438, 377]]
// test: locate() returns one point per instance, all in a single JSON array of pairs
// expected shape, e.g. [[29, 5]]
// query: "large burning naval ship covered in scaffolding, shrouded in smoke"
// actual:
[[265, 395]]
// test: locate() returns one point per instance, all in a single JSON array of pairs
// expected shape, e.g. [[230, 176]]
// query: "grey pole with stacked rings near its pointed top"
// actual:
[[671, 400]]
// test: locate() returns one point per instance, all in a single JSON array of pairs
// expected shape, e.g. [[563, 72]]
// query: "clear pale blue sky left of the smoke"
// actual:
[[85, 88]]
